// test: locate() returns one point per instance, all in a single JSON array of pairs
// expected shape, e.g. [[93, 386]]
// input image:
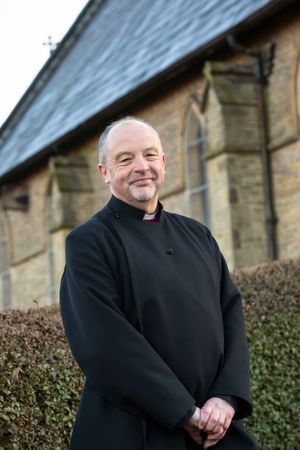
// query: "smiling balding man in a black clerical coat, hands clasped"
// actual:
[[152, 316]]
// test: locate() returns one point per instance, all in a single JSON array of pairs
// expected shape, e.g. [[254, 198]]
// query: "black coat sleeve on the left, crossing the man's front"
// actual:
[[115, 358]]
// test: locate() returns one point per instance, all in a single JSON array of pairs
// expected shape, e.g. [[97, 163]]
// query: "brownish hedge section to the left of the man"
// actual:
[[39, 381]]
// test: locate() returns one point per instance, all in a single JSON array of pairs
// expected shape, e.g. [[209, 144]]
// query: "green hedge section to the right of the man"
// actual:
[[271, 295]]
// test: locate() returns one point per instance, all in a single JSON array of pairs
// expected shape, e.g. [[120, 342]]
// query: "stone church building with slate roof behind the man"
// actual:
[[220, 81]]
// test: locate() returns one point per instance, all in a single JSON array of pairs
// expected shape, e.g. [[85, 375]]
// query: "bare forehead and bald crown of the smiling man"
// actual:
[[132, 136]]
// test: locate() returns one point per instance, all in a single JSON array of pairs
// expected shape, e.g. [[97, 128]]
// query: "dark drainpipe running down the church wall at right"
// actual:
[[262, 71]]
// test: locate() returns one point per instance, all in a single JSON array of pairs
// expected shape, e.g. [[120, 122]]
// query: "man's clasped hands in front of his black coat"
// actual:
[[214, 418]]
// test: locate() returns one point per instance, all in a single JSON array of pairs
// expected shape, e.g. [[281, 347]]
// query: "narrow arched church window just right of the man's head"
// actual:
[[195, 165]]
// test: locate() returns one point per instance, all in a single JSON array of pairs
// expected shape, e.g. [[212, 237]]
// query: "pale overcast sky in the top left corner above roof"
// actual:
[[24, 26]]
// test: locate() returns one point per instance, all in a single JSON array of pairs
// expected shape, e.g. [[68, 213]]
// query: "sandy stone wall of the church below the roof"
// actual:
[[34, 233]]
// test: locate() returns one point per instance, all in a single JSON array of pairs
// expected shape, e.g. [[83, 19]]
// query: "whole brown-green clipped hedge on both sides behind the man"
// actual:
[[40, 383]]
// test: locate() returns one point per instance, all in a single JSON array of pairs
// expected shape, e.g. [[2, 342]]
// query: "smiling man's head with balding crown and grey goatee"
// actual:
[[135, 165]]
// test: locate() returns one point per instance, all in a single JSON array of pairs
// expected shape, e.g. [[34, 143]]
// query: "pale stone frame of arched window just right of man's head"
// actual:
[[194, 110]]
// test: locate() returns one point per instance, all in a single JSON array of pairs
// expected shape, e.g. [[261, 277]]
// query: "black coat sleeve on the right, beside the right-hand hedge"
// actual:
[[233, 378]]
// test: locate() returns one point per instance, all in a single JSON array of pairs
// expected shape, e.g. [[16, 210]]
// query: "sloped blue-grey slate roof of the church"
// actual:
[[114, 48]]
